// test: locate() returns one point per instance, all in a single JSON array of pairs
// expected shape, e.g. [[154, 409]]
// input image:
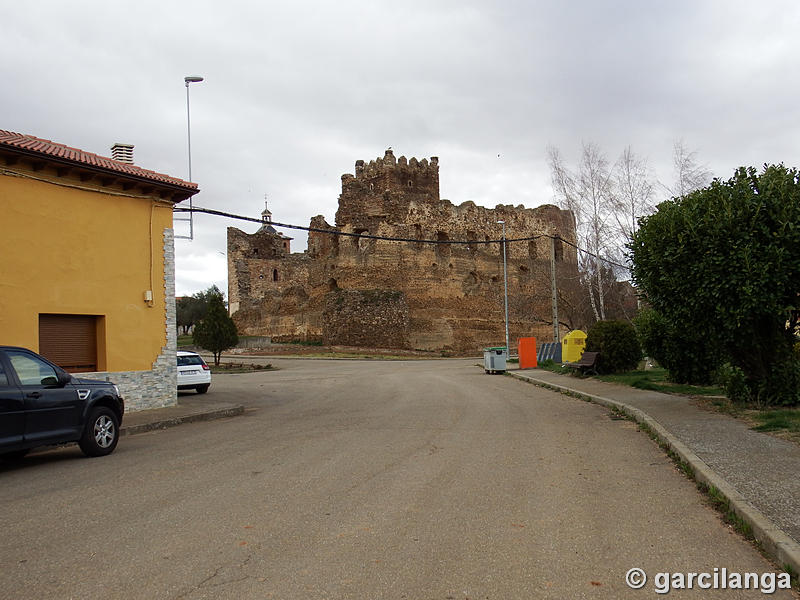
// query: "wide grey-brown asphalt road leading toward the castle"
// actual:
[[359, 479]]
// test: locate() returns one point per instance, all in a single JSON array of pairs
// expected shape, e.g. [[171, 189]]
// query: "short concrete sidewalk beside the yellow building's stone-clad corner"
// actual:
[[190, 407]]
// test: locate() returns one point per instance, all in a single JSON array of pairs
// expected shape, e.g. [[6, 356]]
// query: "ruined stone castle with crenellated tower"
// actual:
[[453, 292]]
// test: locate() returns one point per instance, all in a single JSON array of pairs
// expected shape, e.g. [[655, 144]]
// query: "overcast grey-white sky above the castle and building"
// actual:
[[295, 92]]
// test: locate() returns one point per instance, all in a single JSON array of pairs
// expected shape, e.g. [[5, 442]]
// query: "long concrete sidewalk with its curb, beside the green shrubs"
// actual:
[[759, 474]]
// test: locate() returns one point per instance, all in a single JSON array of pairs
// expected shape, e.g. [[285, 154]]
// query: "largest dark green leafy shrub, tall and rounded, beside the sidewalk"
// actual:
[[721, 266]]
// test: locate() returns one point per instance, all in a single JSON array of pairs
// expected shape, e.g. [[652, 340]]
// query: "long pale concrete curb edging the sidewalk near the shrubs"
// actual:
[[774, 541]]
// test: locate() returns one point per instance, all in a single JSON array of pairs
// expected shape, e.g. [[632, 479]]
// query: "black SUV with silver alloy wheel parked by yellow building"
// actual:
[[41, 404]]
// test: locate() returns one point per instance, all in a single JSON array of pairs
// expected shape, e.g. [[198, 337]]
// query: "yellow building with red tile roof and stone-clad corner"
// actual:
[[88, 263]]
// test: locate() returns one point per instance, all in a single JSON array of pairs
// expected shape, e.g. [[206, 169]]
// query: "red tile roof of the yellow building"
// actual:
[[46, 149]]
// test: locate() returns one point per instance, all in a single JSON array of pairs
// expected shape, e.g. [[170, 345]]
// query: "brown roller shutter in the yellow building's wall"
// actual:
[[70, 341]]
